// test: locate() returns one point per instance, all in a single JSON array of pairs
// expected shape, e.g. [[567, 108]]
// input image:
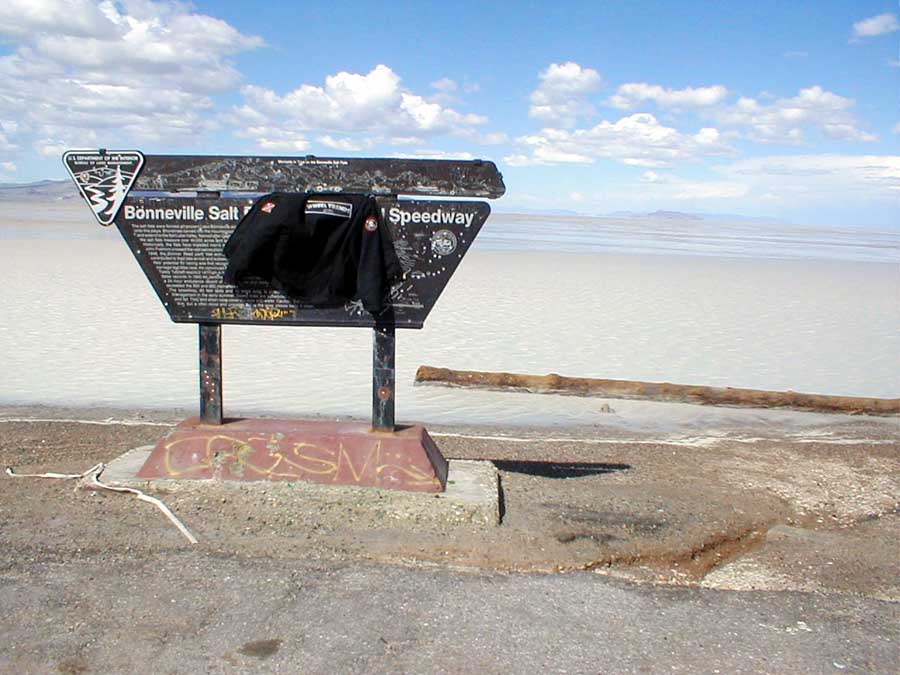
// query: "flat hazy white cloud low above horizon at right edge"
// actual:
[[823, 178]]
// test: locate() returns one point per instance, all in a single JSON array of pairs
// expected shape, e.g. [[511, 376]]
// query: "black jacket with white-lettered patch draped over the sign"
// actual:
[[319, 249]]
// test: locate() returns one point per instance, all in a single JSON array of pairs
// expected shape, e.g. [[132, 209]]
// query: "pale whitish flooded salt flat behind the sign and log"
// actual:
[[82, 326]]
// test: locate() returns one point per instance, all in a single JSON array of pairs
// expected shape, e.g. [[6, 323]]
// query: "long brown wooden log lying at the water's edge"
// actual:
[[657, 391]]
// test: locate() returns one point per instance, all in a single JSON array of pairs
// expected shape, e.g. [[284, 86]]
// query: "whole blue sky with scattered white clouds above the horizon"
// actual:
[[759, 108]]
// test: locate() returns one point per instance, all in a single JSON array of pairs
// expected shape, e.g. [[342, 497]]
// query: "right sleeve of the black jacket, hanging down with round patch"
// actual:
[[379, 266]]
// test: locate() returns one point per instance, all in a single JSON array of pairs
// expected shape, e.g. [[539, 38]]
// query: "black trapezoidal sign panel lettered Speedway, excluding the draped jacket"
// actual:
[[178, 243]]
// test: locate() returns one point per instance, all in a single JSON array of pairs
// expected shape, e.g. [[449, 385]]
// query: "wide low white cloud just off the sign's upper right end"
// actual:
[[636, 140]]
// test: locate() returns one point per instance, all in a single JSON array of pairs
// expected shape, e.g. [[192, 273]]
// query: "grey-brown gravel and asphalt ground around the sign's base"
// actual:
[[791, 518]]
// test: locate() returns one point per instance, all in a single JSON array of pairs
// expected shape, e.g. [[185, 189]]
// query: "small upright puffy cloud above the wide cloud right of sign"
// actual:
[[561, 96]]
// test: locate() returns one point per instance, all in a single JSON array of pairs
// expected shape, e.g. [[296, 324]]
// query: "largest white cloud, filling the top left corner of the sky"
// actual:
[[135, 70]]
